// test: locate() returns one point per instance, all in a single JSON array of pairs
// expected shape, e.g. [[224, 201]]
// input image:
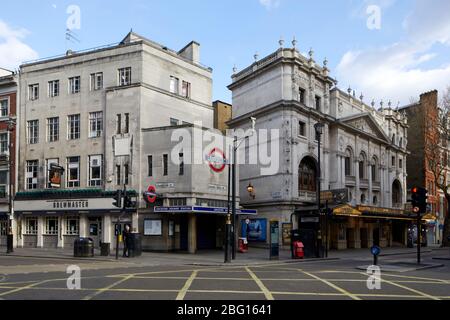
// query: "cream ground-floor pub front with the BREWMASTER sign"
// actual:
[[55, 218]]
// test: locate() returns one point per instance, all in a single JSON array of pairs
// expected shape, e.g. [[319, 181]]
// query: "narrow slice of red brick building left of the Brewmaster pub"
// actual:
[[8, 102]]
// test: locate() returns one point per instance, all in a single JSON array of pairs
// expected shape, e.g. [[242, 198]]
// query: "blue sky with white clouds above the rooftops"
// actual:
[[407, 55]]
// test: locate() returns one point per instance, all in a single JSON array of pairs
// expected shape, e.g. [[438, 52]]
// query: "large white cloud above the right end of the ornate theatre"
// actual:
[[397, 71]]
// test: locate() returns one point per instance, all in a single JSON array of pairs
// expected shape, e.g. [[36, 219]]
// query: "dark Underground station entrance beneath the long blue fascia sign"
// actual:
[[185, 228]]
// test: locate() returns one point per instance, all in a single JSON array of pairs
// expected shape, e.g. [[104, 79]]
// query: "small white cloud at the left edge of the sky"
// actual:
[[13, 51]]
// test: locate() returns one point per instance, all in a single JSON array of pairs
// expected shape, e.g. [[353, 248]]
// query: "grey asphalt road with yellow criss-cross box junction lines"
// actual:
[[336, 280]]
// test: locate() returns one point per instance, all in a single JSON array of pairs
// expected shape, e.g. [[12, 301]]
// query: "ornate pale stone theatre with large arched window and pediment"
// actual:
[[363, 150]]
